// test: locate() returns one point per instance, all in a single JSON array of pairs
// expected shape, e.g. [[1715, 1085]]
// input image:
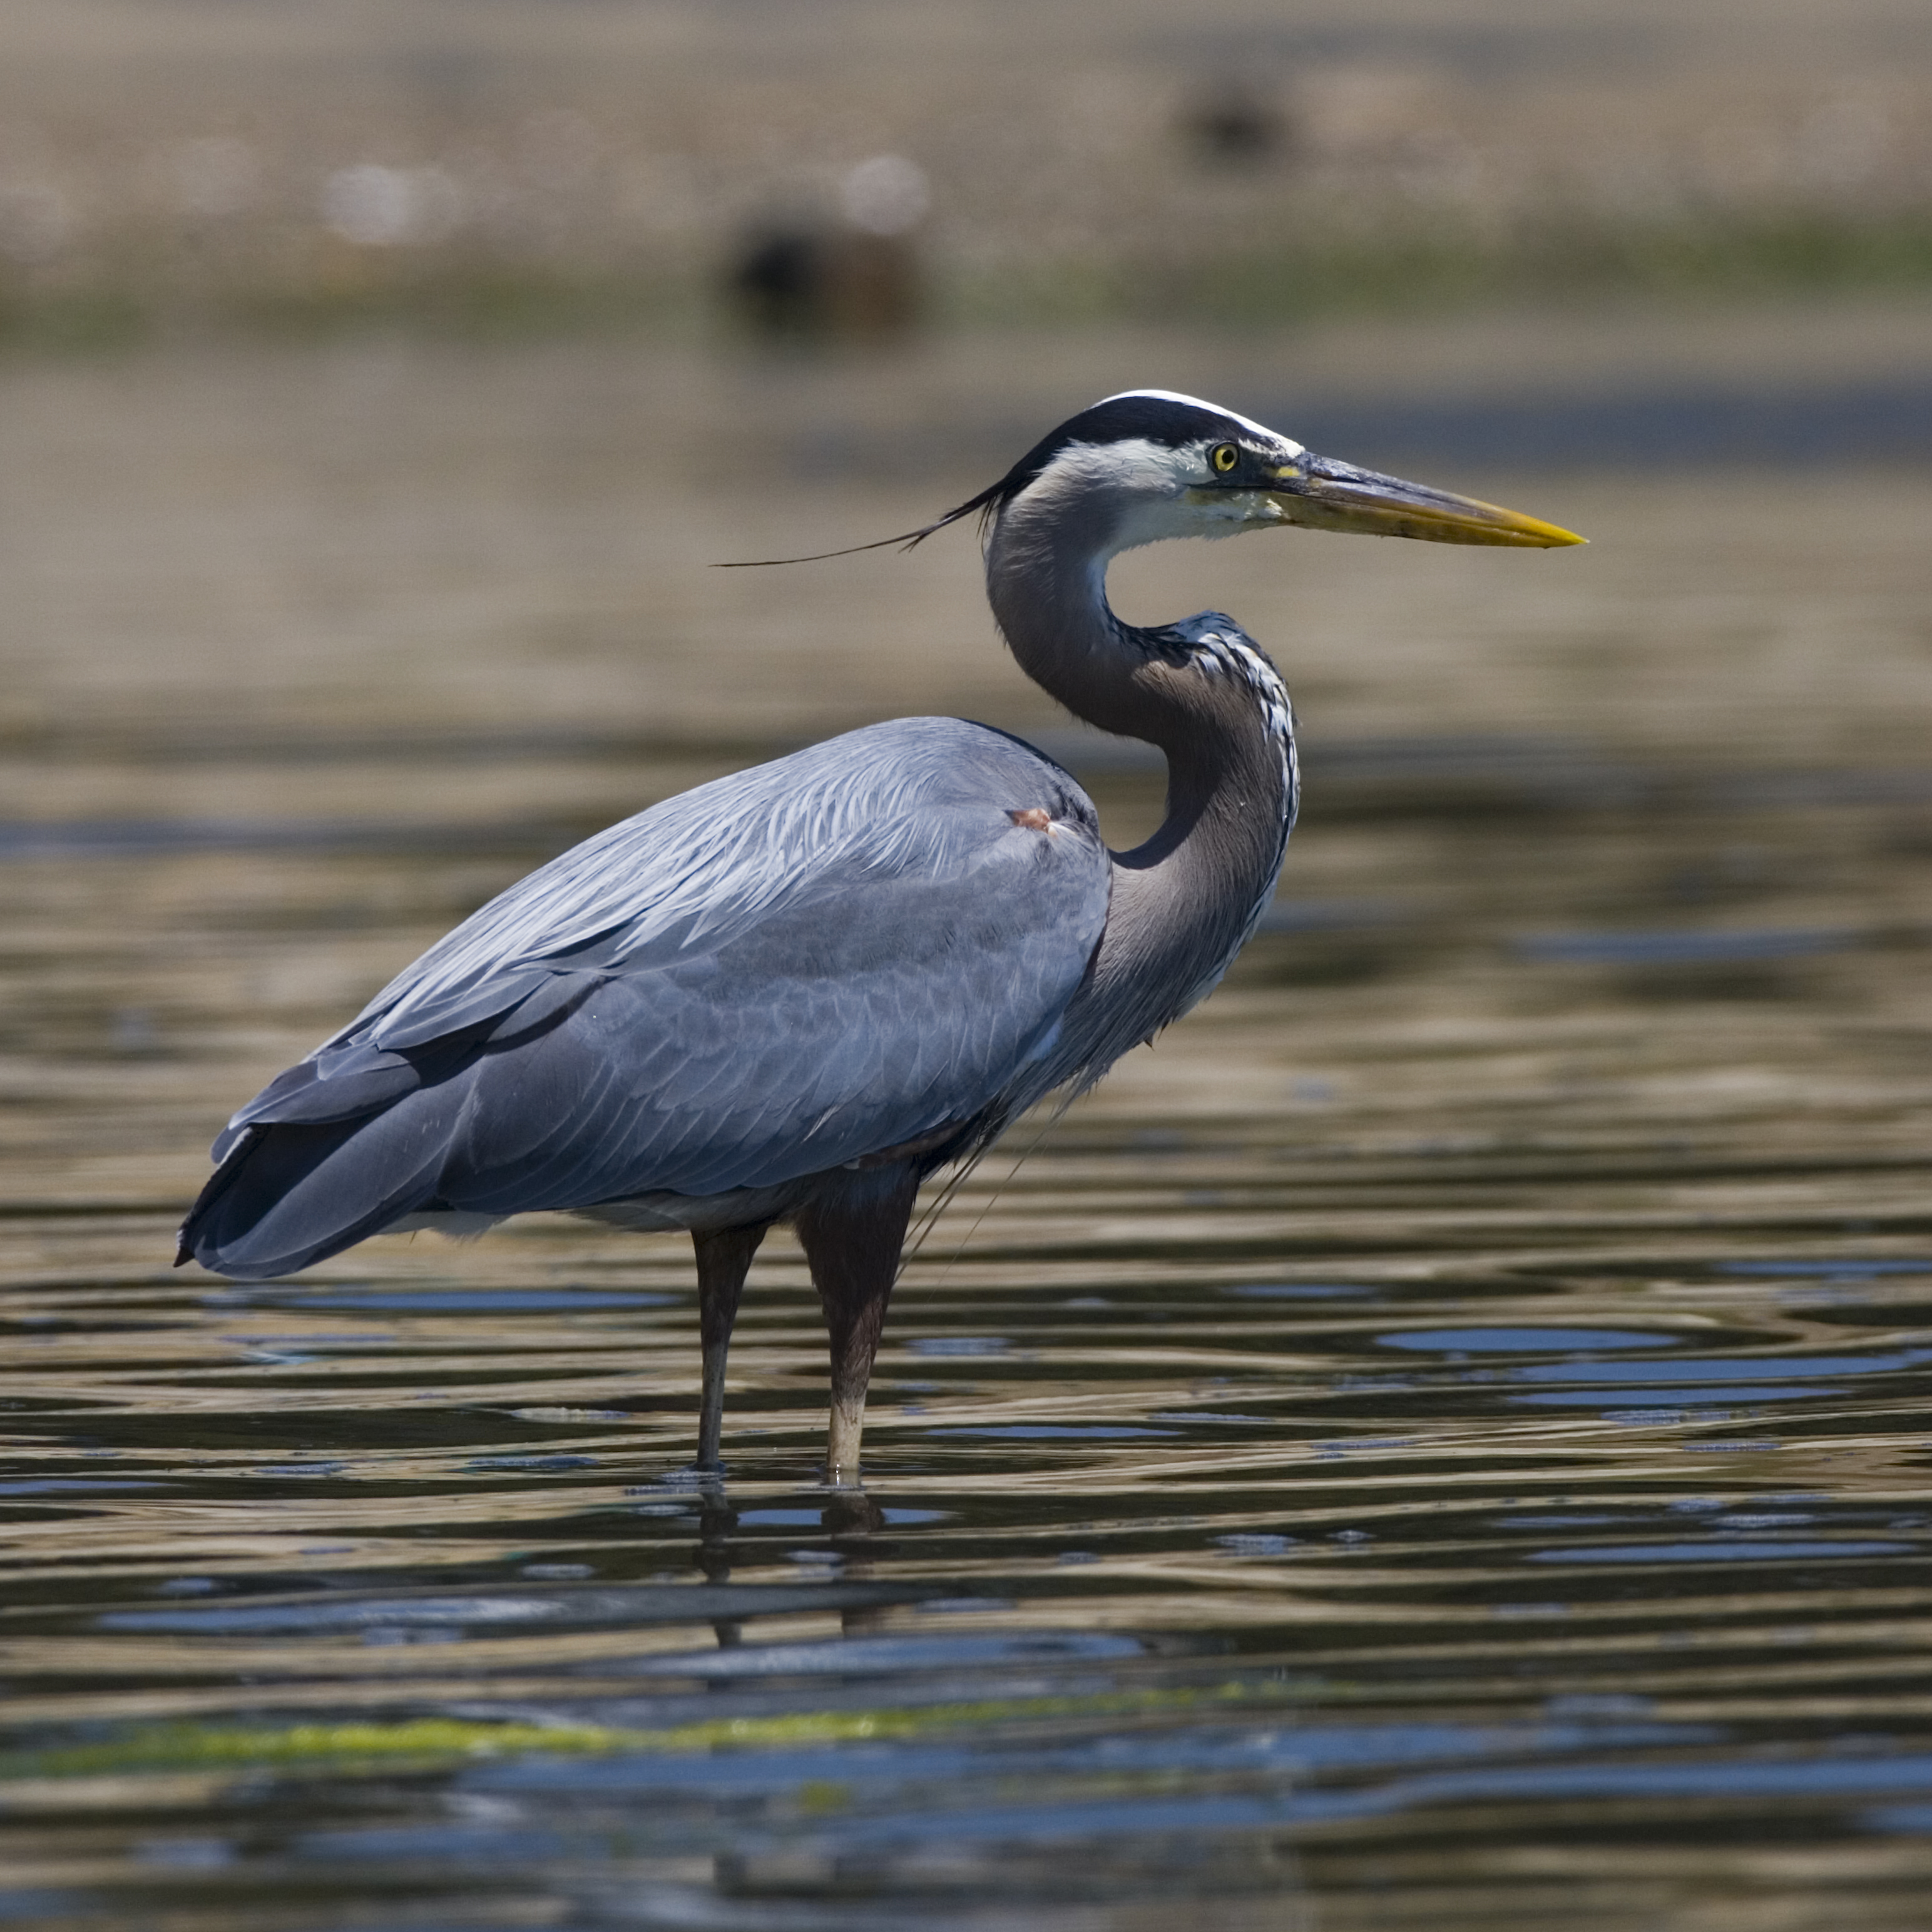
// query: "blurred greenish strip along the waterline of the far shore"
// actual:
[[1568, 268]]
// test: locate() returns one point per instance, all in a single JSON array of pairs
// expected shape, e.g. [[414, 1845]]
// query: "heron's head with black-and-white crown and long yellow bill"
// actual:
[[1151, 465]]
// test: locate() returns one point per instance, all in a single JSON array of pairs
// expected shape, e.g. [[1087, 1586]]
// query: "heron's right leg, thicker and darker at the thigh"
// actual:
[[853, 1232]]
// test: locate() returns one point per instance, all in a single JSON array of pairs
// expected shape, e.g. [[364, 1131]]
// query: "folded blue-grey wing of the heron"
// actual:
[[809, 963]]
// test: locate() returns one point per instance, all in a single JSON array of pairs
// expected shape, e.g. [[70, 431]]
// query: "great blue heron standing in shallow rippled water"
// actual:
[[793, 994]]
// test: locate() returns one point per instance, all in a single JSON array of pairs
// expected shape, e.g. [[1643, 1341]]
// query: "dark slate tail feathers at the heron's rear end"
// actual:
[[295, 1193]]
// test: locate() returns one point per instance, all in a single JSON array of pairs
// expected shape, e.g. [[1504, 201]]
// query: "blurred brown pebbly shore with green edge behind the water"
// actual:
[[185, 167]]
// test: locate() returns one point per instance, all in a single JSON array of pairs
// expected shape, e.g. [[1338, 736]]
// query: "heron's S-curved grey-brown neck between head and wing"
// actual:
[[1187, 899]]
